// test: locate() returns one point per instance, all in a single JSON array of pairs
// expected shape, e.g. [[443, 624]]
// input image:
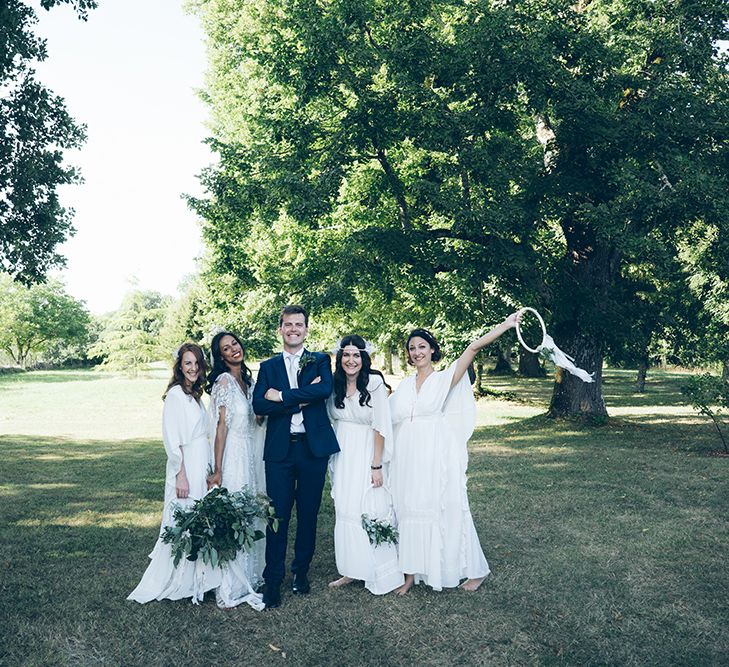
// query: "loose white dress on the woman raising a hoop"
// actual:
[[438, 540]]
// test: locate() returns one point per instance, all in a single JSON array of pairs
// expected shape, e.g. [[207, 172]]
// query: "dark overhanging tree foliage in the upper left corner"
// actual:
[[35, 129]]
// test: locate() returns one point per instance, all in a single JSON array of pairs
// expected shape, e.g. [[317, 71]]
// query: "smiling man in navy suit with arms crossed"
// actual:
[[291, 390]]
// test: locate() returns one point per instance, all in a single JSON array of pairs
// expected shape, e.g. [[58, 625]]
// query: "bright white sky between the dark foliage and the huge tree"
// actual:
[[130, 74]]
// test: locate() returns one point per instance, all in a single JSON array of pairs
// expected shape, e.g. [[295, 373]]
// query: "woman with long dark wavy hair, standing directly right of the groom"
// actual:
[[360, 413]]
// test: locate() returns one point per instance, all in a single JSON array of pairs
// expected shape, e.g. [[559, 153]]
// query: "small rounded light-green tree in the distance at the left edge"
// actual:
[[37, 319]]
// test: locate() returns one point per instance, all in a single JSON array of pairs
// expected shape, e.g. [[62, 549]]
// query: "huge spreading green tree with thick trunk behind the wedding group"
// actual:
[[541, 146]]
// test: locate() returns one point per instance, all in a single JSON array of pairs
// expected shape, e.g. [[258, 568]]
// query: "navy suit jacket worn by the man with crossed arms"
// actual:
[[320, 436]]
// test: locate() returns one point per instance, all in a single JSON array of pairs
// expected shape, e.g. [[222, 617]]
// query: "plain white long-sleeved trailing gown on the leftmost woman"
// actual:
[[185, 436]]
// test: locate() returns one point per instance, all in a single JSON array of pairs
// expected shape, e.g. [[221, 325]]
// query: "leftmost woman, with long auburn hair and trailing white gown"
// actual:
[[185, 436]]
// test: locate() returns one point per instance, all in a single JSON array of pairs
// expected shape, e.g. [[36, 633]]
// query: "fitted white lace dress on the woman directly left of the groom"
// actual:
[[242, 466]]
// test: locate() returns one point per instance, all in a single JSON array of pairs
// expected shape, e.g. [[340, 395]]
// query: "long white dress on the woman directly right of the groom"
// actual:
[[352, 490]]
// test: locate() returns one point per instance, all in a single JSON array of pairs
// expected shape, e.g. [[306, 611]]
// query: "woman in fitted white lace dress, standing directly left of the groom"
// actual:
[[238, 460]]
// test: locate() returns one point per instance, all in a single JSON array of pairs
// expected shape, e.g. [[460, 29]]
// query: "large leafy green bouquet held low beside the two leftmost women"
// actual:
[[219, 525]]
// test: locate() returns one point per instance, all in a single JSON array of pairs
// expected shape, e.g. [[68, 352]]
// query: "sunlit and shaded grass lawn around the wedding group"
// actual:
[[608, 545]]
